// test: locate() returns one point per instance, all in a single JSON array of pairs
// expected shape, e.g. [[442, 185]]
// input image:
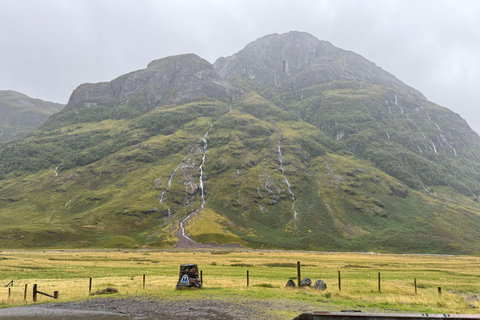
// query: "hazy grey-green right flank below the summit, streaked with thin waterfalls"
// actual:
[[403, 136]]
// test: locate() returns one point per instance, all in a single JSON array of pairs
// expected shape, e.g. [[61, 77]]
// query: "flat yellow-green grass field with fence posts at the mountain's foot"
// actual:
[[224, 276]]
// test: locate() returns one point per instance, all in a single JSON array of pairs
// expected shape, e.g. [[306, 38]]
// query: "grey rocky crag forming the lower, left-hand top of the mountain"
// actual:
[[172, 80]]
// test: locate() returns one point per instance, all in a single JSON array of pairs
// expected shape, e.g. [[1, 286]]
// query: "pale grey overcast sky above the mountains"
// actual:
[[49, 47]]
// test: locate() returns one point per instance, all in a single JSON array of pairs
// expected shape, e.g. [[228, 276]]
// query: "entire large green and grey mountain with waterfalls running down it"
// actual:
[[289, 143]]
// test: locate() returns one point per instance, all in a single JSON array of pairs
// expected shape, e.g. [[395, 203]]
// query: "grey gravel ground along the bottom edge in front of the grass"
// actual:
[[161, 309]]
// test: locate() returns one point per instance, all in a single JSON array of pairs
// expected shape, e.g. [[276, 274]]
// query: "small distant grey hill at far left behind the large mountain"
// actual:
[[21, 115]]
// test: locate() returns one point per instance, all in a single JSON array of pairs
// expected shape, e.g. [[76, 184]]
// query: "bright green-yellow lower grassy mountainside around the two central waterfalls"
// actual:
[[111, 198]]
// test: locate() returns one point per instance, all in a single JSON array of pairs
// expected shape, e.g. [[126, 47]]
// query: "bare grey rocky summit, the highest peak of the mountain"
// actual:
[[295, 60]]
